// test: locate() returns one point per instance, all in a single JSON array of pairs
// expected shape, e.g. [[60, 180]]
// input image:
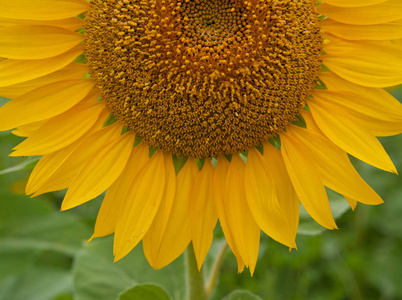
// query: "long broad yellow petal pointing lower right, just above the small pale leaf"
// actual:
[[335, 168]]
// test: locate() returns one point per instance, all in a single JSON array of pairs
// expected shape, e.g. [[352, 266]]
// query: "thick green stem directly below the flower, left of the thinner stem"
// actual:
[[194, 278]]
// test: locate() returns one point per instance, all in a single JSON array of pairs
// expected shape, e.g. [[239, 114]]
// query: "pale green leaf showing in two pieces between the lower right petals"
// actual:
[[338, 205]]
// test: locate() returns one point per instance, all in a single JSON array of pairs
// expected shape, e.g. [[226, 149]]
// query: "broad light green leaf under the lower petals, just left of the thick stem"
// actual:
[[96, 276]]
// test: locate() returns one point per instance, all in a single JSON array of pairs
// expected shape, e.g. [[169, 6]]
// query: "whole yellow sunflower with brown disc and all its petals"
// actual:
[[189, 112]]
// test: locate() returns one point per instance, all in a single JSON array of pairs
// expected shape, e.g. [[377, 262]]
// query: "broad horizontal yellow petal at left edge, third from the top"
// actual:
[[36, 41]]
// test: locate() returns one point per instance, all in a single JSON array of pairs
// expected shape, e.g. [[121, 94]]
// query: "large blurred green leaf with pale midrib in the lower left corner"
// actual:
[[37, 243]]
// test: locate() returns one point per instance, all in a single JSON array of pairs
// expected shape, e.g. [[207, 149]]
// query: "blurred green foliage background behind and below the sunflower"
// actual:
[[43, 254]]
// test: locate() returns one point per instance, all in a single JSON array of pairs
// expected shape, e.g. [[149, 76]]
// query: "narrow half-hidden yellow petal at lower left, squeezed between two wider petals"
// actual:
[[49, 163]]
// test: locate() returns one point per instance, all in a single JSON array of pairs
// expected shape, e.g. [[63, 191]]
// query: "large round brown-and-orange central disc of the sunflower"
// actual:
[[201, 78]]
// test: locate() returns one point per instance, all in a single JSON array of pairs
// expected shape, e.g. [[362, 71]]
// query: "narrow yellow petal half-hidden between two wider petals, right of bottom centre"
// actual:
[[285, 193]]
